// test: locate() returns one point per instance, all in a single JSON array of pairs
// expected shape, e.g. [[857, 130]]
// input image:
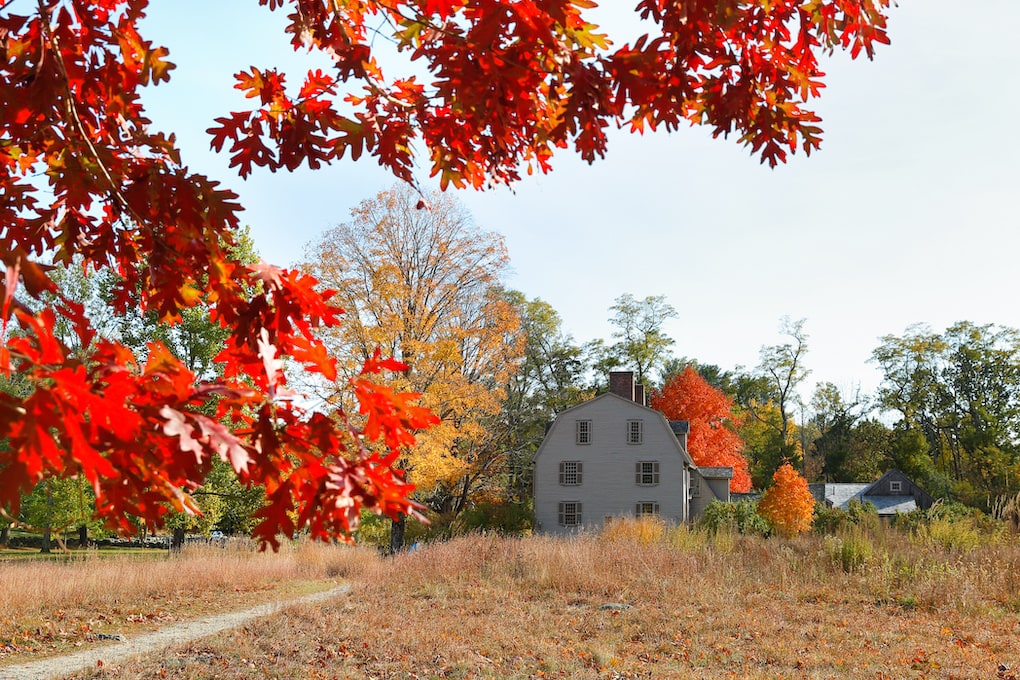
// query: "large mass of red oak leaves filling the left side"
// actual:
[[118, 196]]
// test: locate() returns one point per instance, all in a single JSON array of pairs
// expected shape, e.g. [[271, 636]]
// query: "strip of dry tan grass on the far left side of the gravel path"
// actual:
[[59, 606]]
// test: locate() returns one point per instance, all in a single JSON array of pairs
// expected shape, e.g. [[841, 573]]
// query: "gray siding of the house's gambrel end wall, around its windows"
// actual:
[[608, 486]]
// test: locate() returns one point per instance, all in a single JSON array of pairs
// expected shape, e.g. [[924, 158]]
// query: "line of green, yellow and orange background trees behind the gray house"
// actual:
[[426, 287]]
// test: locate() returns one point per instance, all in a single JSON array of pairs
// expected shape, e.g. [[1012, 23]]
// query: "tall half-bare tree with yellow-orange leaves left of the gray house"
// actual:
[[421, 282]]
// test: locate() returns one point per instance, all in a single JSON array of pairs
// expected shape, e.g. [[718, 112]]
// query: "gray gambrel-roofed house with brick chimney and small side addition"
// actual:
[[615, 457]]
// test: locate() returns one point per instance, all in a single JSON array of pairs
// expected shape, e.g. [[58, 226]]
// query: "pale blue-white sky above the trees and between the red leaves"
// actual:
[[908, 214]]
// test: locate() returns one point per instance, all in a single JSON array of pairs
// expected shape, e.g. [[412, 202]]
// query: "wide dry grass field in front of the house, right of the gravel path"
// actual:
[[642, 601]]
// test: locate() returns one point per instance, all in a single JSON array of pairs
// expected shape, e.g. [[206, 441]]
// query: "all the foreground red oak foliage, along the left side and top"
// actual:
[[85, 179]]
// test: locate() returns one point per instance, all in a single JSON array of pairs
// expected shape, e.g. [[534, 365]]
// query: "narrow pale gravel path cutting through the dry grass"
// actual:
[[158, 642]]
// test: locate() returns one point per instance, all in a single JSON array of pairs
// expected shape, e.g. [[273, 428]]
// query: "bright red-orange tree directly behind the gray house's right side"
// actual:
[[712, 442]]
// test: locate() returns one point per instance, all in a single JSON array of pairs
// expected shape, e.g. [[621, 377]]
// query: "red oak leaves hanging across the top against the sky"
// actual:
[[516, 80]]
